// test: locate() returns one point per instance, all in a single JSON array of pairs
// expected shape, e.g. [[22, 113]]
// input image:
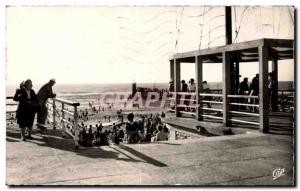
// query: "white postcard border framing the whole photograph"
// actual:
[[4, 3]]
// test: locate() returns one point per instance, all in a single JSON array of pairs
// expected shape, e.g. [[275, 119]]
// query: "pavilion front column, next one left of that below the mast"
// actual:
[[199, 86]]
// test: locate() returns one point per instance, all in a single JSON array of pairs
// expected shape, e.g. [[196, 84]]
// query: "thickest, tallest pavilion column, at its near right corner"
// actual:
[[263, 89]]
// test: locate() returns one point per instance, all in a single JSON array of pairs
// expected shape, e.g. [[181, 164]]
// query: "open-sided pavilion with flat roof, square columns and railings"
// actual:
[[230, 55]]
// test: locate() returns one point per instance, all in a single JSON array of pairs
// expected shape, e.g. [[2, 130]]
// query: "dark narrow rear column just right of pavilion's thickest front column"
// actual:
[[275, 84]]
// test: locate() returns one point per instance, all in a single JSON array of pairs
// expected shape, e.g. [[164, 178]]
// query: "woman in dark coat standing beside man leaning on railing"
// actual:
[[28, 106]]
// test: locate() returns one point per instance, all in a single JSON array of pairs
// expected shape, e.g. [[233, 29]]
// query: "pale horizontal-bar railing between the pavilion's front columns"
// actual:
[[240, 105]]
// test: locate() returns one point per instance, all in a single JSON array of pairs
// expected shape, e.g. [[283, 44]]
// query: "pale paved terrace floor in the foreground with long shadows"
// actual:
[[243, 159]]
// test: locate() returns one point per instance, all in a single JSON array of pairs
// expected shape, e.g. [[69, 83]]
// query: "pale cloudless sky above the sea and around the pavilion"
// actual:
[[94, 44]]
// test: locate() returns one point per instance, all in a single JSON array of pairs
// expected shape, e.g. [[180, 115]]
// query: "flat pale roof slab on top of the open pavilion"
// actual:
[[281, 49]]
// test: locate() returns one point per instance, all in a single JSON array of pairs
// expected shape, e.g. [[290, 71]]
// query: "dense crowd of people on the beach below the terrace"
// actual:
[[146, 129]]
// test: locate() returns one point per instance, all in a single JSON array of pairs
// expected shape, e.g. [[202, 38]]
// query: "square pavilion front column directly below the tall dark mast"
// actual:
[[226, 87]]
